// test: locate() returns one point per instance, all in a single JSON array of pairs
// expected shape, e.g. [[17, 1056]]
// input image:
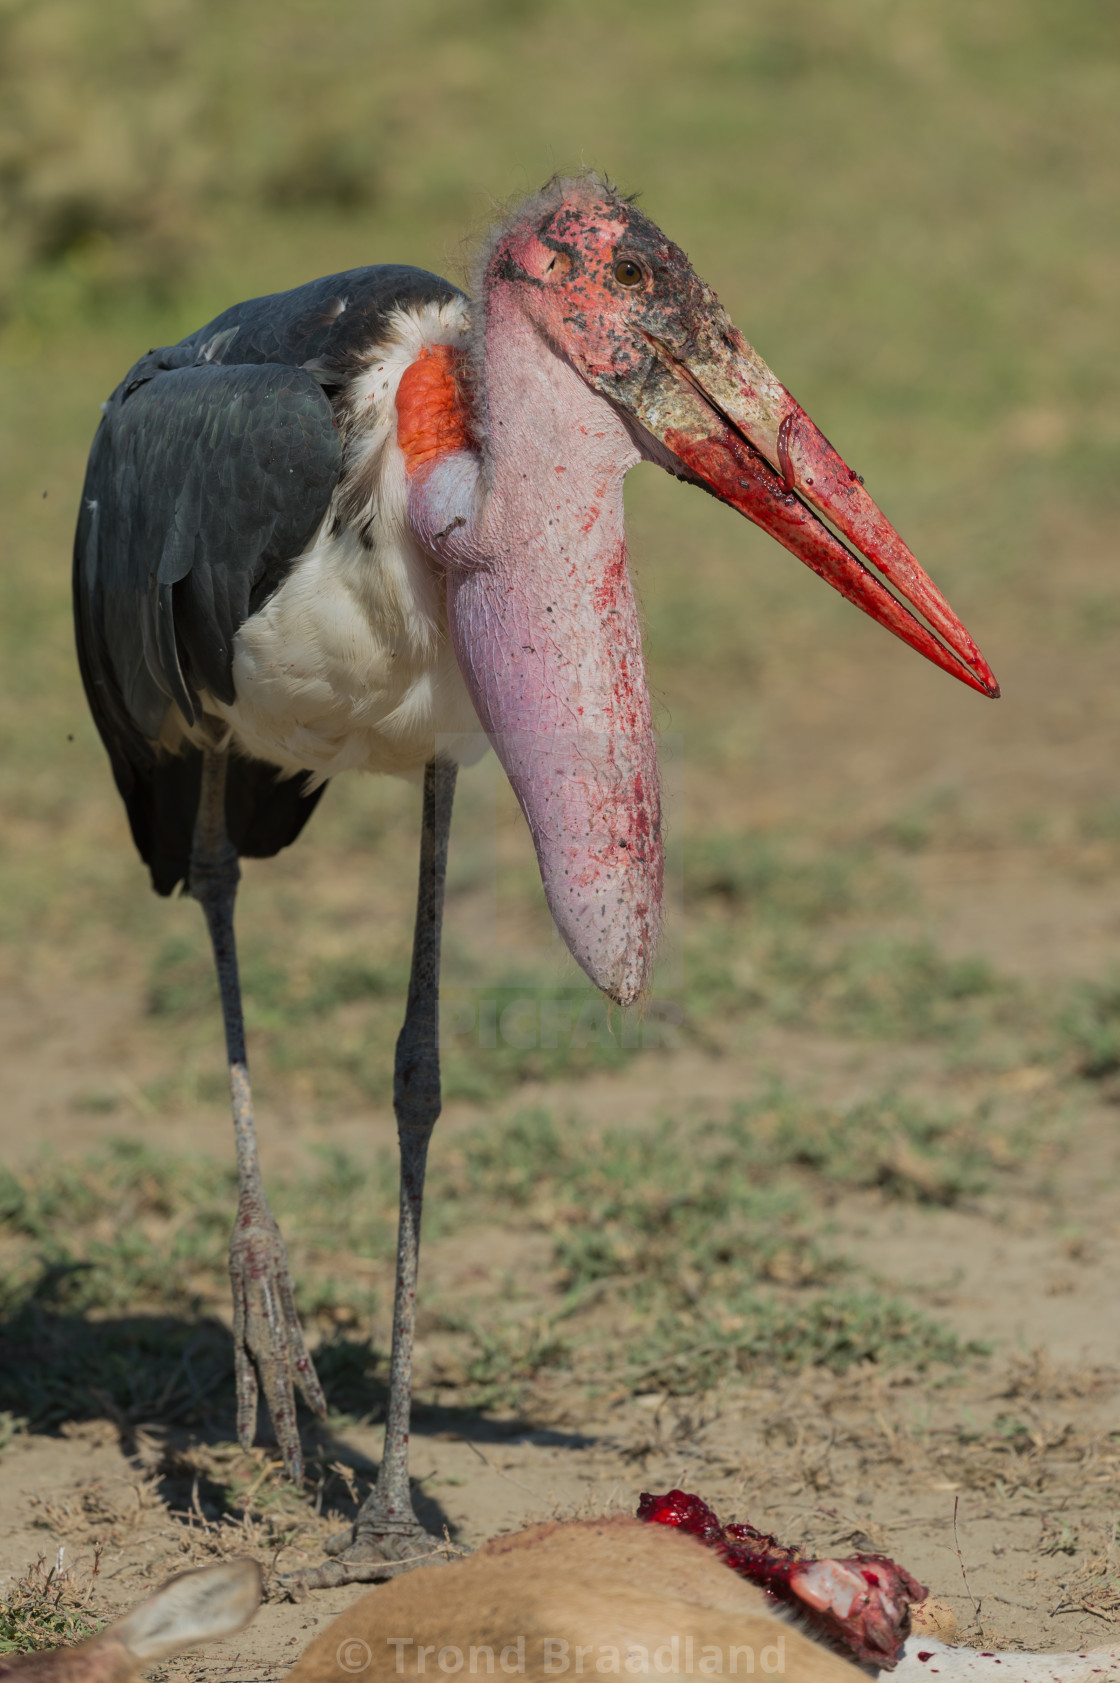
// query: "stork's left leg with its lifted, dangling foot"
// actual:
[[269, 1341]]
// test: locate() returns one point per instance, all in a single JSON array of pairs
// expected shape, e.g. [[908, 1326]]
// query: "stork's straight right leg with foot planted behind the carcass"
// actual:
[[387, 1532]]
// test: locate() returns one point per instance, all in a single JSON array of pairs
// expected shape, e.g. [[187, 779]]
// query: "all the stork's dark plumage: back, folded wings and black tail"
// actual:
[[210, 475]]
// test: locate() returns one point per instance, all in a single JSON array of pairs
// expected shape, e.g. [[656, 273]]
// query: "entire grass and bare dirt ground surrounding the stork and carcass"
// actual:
[[895, 910]]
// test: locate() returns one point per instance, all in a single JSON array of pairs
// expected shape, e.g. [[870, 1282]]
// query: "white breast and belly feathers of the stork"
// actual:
[[349, 666]]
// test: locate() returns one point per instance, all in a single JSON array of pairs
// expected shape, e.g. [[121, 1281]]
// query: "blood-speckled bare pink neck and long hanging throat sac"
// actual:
[[547, 634]]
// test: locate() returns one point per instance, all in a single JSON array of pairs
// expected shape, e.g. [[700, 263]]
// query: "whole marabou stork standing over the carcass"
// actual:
[[341, 526]]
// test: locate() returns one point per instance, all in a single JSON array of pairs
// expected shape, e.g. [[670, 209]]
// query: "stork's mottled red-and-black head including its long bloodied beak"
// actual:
[[622, 304]]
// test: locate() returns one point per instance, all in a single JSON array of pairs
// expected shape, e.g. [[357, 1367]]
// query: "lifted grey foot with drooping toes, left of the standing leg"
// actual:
[[269, 1339]]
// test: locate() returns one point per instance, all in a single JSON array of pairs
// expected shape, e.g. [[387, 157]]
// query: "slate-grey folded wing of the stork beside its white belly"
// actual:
[[218, 479]]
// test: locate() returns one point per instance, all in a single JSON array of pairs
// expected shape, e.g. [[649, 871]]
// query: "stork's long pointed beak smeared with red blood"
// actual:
[[735, 430]]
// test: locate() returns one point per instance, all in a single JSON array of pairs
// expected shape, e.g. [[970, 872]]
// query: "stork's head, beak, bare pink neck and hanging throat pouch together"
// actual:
[[600, 346]]
